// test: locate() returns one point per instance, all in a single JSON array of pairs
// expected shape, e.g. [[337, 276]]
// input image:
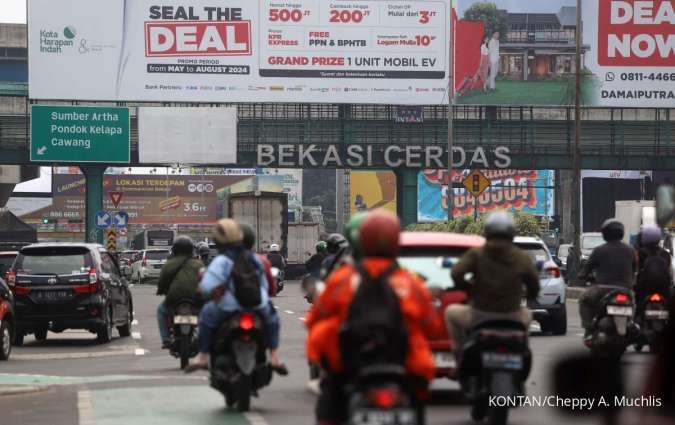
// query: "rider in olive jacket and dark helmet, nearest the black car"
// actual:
[[178, 280]]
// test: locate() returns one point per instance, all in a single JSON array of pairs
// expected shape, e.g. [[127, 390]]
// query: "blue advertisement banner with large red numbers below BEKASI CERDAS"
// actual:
[[526, 191]]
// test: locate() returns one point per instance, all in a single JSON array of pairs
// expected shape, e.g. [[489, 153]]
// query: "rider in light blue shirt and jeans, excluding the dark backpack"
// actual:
[[219, 287]]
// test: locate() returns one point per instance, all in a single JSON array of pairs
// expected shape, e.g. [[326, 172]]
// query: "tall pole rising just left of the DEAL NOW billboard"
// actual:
[[576, 158]]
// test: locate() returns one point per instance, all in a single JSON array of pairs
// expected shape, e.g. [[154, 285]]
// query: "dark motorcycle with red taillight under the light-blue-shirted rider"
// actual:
[[239, 365]]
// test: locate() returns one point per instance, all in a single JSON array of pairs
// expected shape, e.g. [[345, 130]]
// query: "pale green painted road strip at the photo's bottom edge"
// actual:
[[166, 405]]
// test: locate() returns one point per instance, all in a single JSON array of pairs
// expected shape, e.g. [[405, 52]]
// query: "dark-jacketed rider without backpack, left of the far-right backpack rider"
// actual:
[[614, 264]]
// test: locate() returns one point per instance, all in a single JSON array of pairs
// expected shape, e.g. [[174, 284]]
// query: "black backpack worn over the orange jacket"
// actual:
[[374, 331]]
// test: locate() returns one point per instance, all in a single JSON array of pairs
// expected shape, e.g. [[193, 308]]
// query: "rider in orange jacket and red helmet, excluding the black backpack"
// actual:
[[378, 240]]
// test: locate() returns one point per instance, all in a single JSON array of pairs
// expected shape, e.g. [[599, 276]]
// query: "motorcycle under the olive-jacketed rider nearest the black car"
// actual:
[[183, 327]]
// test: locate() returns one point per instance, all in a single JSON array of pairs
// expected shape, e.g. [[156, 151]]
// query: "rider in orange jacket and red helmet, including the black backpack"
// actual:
[[370, 313]]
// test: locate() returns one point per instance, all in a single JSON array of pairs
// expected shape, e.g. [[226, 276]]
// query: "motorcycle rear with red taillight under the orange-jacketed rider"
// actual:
[[379, 397]]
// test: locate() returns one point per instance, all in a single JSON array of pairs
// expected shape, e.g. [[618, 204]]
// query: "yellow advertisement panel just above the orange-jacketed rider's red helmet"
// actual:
[[369, 190]]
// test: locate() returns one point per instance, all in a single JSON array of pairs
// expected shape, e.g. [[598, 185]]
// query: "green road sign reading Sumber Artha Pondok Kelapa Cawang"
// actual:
[[79, 134]]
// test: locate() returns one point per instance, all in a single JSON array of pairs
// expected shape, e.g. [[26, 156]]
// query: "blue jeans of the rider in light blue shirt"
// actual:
[[211, 317]]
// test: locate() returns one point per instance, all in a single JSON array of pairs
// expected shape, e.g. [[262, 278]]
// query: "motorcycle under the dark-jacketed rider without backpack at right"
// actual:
[[612, 329]]
